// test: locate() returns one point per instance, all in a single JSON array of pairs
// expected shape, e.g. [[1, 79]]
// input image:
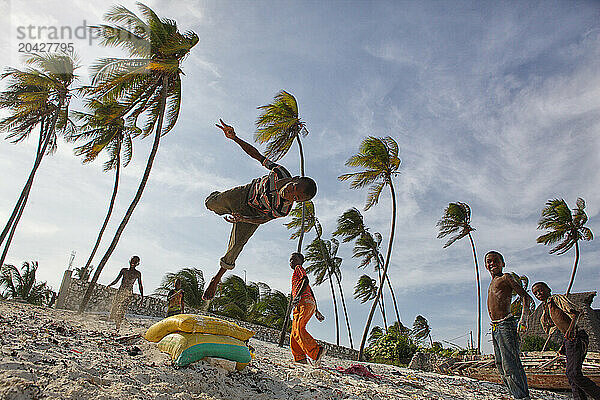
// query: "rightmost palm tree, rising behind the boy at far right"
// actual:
[[565, 227]]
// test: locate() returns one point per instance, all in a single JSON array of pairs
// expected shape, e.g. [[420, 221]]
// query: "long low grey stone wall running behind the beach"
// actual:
[[72, 292]]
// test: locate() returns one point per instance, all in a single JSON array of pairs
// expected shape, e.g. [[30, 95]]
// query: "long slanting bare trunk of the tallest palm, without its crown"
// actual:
[[136, 199]]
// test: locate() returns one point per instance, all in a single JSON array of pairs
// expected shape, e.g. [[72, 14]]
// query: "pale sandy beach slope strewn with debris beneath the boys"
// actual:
[[56, 354]]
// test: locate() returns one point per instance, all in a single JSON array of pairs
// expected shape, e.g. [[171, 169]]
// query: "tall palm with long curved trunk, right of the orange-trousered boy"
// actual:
[[379, 157]]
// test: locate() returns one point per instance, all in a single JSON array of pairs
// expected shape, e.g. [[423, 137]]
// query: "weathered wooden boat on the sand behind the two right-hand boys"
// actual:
[[543, 369]]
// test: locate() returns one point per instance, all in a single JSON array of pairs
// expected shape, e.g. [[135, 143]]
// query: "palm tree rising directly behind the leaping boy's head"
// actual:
[[278, 125]]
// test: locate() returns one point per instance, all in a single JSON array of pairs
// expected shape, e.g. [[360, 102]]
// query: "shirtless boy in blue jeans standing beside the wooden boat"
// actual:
[[504, 325]]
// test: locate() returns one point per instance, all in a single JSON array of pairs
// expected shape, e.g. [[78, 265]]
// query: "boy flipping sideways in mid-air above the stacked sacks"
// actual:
[[246, 207]]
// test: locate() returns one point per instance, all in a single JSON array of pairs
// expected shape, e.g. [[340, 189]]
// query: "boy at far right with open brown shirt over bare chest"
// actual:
[[560, 313]]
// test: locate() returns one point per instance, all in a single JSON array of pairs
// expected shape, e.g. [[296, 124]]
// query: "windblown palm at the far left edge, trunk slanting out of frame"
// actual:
[[36, 96]]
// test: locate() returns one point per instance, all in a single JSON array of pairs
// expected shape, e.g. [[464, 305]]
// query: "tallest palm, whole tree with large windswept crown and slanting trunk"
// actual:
[[148, 83]]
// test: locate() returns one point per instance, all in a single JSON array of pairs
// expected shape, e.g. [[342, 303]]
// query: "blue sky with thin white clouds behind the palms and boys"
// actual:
[[495, 104]]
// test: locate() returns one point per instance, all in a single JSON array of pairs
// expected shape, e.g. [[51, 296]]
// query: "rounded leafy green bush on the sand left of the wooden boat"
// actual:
[[392, 348]]
